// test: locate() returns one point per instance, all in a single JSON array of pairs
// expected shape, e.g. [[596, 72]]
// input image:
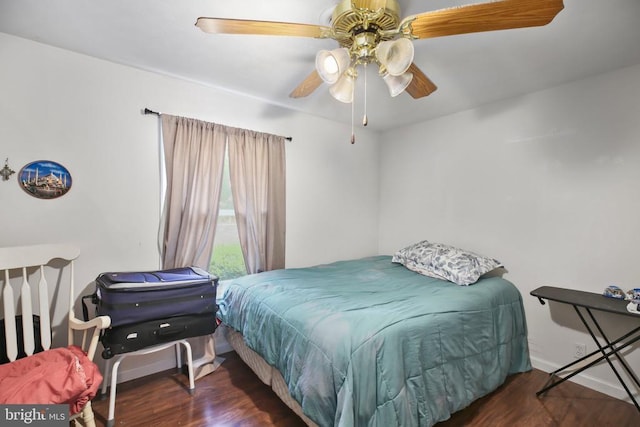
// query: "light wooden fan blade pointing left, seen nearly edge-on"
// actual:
[[244, 26]]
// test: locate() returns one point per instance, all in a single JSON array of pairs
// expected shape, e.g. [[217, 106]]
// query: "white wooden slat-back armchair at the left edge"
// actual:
[[25, 292]]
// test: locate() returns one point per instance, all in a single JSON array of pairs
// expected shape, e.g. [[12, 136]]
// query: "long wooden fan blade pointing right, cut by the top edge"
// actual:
[[500, 15]]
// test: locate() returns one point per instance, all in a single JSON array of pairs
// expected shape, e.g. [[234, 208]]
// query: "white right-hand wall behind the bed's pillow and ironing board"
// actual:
[[548, 183]]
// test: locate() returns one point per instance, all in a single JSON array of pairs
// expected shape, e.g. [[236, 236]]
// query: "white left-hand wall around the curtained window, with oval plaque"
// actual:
[[85, 113]]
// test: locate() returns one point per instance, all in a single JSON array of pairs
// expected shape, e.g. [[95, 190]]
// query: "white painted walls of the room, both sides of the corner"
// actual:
[[547, 182]]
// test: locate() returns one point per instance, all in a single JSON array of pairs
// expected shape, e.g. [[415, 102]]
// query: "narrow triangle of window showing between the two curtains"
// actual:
[[227, 261]]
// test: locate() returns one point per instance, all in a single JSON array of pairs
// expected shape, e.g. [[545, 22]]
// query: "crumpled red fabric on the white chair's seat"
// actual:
[[61, 375]]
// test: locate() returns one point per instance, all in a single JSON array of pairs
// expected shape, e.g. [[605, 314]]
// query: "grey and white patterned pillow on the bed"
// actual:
[[445, 262]]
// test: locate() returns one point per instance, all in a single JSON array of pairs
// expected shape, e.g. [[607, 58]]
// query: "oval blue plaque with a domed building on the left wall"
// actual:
[[45, 179]]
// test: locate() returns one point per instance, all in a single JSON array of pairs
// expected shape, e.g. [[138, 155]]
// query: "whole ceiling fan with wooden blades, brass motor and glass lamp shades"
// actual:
[[371, 32]]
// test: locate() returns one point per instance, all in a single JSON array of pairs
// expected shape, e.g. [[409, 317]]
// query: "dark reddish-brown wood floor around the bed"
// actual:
[[234, 396]]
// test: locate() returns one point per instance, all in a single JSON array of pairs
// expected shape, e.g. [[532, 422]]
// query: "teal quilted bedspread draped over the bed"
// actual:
[[370, 343]]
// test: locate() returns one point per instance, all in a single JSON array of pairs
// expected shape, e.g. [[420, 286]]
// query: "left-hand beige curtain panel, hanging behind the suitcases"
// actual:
[[194, 162]]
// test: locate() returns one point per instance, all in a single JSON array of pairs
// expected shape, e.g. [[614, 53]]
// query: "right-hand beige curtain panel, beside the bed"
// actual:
[[257, 172]]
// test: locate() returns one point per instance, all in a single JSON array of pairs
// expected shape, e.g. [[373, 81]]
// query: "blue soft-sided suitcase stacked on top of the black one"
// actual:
[[134, 297]]
